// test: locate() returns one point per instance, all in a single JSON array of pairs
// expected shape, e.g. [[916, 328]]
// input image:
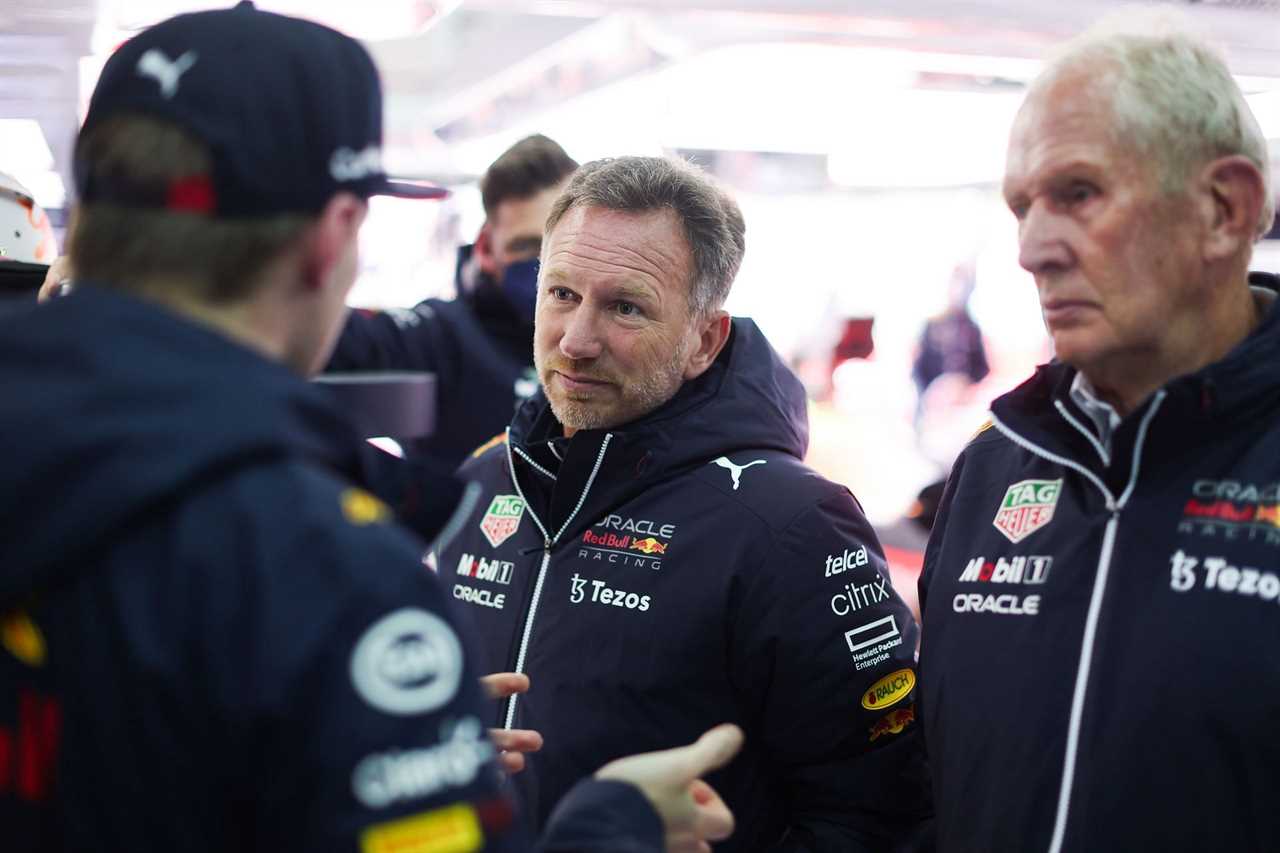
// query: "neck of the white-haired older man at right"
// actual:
[[1126, 384]]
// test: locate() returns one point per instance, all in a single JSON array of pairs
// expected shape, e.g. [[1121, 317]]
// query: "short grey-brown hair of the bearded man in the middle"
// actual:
[[711, 220]]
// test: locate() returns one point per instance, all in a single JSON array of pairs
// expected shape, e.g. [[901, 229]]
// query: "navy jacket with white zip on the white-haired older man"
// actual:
[[1099, 665]]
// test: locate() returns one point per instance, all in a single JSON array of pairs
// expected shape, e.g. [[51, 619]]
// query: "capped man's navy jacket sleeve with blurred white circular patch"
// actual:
[[353, 696]]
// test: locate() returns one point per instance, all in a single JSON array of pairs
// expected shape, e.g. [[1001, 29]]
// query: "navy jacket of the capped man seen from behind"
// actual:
[[211, 637]]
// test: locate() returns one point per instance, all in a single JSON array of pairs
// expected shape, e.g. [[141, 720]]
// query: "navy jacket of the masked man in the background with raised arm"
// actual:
[[479, 349]]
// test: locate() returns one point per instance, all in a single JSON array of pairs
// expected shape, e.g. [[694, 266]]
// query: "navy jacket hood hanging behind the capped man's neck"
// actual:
[[97, 423]]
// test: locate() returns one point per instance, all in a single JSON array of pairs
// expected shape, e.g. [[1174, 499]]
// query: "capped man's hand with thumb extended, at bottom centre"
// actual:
[[692, 811]]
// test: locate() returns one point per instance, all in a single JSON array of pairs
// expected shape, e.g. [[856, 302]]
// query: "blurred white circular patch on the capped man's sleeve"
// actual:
[[409, 662]]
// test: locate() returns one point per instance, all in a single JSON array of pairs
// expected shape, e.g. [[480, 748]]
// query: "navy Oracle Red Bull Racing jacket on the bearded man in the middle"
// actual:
[[688, 569]]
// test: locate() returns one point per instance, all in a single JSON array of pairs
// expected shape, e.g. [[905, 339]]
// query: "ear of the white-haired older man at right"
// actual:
[[1233, 193]]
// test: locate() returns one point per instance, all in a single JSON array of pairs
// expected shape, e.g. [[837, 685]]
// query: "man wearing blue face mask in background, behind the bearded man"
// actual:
[[481, 345]]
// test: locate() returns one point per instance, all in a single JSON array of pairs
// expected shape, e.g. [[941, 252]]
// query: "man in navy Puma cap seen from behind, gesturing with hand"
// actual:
[[212, 636]]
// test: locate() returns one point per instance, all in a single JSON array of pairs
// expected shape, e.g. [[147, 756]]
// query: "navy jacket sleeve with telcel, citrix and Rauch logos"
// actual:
[[826, 660]]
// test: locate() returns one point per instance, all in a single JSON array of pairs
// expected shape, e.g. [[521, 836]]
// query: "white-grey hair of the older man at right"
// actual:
[[1172, 95]]
